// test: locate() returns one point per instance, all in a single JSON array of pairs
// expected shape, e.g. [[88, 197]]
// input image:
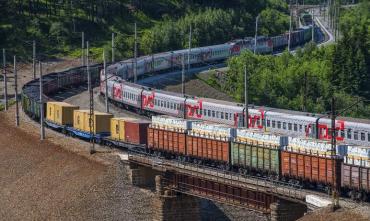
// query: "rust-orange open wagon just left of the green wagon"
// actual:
[[206, 148]]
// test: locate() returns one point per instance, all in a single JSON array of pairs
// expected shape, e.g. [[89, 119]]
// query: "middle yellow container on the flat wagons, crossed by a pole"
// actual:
[[81, 122]]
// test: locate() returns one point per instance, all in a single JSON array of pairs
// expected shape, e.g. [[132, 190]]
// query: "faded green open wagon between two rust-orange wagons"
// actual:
[[256, 156]]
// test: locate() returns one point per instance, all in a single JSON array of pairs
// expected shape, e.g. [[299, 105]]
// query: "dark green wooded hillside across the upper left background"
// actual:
[[56, 25]]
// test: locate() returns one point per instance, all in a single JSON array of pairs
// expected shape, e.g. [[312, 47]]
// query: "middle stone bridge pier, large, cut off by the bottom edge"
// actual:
[[169, 205]]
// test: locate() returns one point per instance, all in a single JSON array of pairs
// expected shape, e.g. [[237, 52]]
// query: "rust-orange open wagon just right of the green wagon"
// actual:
[[315, 168]]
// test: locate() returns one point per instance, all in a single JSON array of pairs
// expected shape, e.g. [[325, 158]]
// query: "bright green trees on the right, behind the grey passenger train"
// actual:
[[308, 80]]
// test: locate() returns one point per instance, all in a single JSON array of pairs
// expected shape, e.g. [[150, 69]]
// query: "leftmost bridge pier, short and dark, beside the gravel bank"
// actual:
[[141, 176]]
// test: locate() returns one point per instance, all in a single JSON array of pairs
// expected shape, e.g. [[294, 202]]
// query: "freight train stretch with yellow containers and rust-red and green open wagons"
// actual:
[[218, 146]]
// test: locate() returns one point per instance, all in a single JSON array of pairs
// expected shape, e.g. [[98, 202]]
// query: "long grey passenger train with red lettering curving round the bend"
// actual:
[[150, 101]]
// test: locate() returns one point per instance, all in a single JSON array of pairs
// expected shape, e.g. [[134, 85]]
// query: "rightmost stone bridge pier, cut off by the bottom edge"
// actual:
[[283, 210]]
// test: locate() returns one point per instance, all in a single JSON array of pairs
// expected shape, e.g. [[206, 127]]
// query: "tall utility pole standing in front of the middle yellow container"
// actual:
[[91, 115]]
